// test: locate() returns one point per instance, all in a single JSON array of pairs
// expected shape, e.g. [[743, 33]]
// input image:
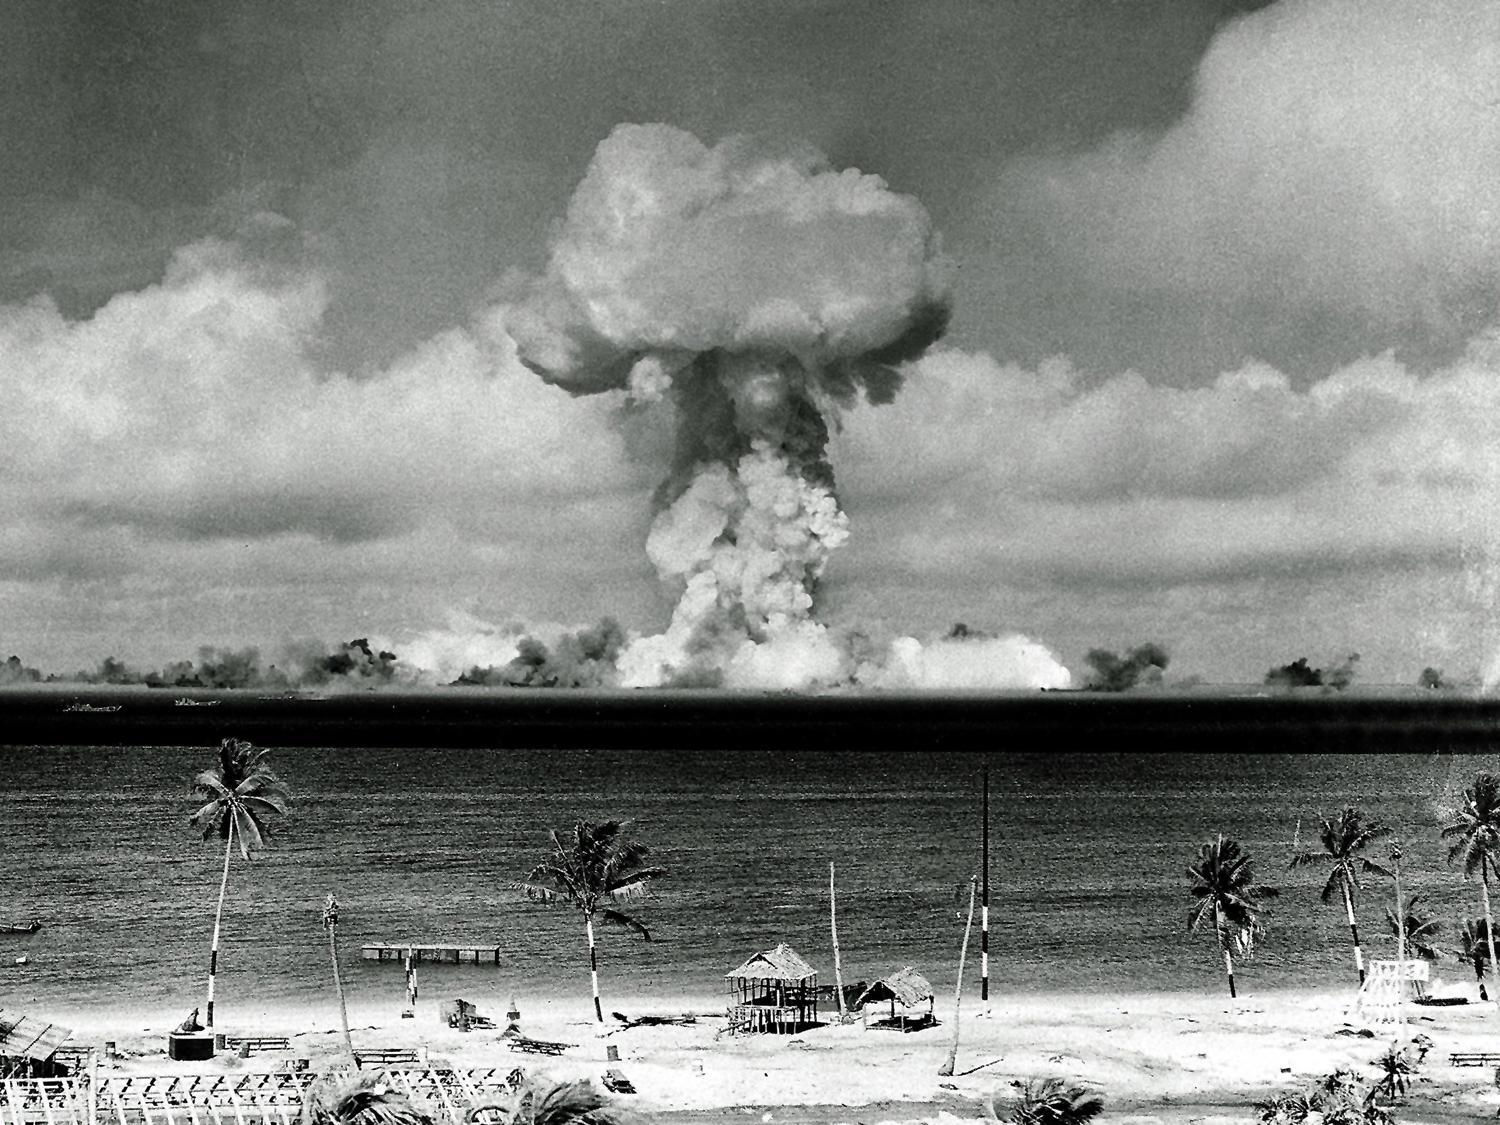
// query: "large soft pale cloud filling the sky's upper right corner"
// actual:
[[1339, 155]]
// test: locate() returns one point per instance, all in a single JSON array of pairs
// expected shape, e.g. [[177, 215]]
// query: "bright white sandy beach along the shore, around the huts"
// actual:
[[1154, 1057]]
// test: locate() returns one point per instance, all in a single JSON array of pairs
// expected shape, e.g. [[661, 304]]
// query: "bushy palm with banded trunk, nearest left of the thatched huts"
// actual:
[[598, 865]]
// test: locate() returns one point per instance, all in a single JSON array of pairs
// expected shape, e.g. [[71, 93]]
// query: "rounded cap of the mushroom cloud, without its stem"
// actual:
[[671, 250]]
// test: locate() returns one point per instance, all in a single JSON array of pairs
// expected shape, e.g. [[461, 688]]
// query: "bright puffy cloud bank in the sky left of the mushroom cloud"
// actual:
[[193, 410]]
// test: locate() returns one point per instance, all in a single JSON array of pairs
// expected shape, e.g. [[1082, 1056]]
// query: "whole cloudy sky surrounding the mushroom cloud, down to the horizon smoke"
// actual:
[[1223, 371]]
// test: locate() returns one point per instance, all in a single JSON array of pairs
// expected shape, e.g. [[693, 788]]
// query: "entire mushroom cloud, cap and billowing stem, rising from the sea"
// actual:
[[761, 292]]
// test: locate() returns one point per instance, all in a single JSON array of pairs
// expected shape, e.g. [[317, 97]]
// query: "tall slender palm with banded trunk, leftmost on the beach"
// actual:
[[241, 794]]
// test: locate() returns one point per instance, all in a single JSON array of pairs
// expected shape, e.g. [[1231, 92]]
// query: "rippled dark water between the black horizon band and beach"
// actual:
[[1088, 862]]
